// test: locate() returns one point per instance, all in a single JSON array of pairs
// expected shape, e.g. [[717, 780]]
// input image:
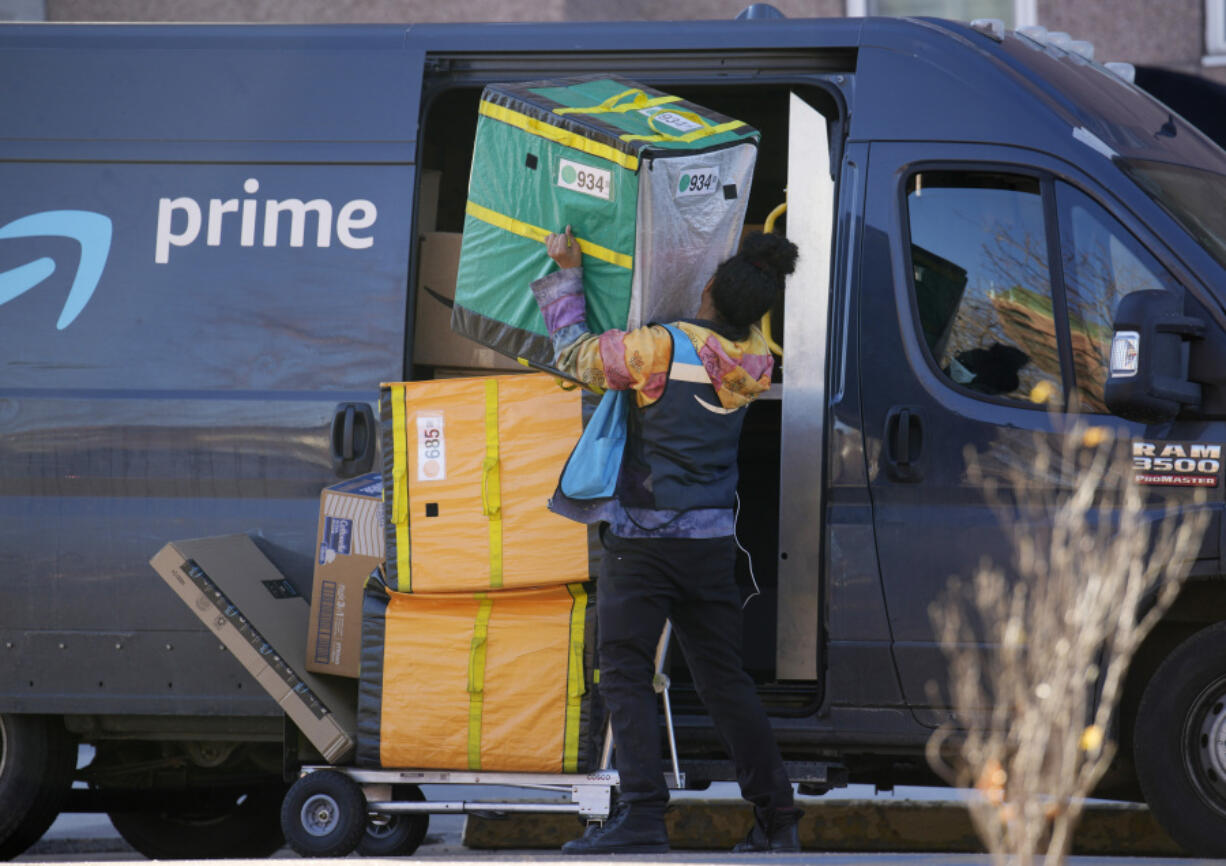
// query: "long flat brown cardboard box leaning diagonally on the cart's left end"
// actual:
[[262, 619]]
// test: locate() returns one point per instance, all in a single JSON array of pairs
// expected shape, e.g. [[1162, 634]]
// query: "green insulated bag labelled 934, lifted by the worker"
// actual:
[[655, 190]]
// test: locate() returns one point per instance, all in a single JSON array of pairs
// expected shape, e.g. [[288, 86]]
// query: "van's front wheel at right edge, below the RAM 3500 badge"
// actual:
[[1180, 744]]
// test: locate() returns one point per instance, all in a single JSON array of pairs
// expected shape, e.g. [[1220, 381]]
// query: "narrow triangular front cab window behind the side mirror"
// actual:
[[1103, 263]]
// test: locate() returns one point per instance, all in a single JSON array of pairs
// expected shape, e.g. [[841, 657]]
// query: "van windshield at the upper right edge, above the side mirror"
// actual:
[[1194, 197]]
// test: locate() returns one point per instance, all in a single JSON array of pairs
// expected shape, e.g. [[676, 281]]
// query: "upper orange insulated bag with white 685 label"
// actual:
[[469, 467]]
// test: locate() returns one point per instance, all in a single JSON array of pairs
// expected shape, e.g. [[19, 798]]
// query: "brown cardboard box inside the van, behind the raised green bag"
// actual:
[[435, 343]]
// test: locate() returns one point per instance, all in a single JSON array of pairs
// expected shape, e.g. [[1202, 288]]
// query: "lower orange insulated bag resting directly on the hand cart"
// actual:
[[491, 681]]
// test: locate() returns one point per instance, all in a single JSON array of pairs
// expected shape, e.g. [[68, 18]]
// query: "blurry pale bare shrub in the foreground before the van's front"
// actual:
[[1038, 662]]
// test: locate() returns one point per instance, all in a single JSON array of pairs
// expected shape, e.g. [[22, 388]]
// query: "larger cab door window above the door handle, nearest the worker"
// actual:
[[983, 284]]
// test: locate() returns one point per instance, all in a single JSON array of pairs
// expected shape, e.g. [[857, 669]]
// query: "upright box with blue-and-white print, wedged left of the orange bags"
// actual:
[[350, 545]]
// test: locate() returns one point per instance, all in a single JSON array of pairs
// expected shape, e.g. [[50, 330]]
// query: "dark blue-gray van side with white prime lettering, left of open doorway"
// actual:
[[191, 389]]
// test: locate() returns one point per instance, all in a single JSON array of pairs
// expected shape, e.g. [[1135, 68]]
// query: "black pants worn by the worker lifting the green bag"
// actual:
[[645, 582]]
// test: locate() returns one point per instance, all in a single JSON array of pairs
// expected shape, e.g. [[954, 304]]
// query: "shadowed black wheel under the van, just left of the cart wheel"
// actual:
[[213, 829]]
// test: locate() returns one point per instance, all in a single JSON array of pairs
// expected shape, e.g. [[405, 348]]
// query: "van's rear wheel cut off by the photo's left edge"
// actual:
[[37, 762]]
